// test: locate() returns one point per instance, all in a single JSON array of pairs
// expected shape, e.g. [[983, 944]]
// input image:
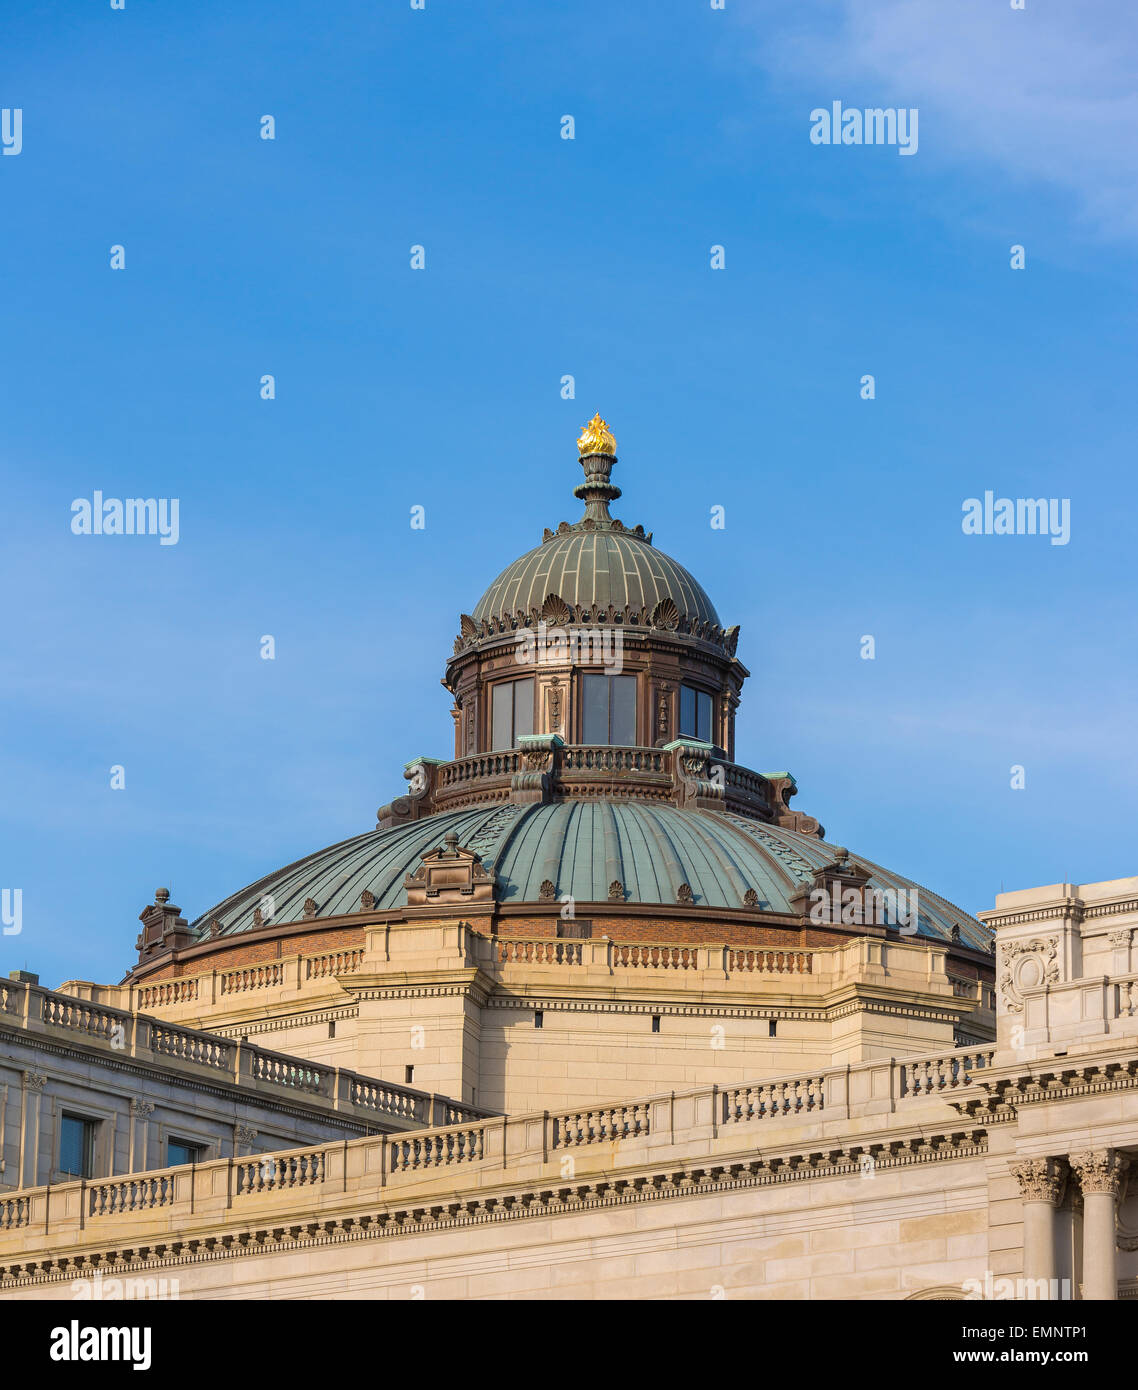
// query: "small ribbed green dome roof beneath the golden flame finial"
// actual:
[[587, 568]]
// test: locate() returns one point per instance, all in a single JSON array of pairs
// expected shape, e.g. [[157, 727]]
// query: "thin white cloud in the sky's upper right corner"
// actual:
[[1046, 94]]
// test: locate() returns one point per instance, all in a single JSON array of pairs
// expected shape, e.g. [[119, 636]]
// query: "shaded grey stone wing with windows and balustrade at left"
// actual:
[[138, 1084]]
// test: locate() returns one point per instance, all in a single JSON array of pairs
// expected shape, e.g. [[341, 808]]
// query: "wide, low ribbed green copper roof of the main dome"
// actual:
[[580, 847]]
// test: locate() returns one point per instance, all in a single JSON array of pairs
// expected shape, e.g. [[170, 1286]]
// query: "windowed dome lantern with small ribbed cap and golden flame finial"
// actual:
[[594, 637]]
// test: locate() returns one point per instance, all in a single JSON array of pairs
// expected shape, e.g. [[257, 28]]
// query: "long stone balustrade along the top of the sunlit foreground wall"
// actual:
[[623, 1136]]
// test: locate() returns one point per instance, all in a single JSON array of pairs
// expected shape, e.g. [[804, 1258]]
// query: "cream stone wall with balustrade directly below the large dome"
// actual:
[[518, 1022]]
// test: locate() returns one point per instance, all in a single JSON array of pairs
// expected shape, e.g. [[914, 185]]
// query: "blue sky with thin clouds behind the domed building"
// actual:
[[443, 389]]
